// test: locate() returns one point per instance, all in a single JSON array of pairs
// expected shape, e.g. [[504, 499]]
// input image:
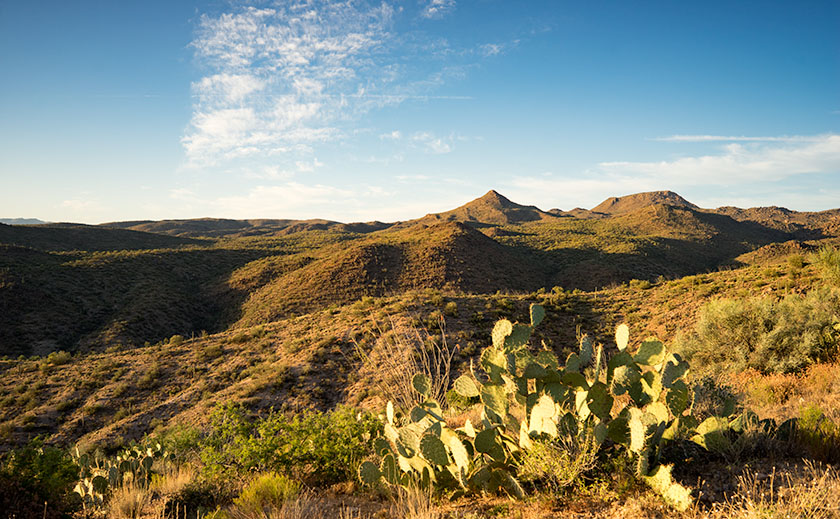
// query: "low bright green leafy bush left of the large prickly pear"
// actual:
[[312, 446]]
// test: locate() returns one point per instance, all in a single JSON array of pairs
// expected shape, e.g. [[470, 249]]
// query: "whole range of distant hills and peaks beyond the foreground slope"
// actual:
[[69, 286]]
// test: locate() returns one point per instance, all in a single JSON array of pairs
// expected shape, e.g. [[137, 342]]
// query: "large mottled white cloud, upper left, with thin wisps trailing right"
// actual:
[[283, 80]]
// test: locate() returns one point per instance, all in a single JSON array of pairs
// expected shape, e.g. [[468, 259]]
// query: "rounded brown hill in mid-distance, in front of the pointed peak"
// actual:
[[449, 256]]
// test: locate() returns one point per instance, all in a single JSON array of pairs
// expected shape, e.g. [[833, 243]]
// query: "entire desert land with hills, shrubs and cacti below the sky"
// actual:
[[274, 370]]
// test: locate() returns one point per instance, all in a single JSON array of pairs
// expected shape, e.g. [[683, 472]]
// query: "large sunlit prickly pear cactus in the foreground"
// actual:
[[526, 397]]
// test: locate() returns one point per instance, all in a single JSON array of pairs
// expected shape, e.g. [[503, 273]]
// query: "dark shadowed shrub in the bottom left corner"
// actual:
[[34, 475]]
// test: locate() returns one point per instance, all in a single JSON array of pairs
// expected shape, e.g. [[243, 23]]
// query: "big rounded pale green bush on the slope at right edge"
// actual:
[[771, 336]]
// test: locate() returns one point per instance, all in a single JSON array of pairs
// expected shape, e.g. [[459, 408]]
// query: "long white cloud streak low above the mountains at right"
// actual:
[[752, 164]]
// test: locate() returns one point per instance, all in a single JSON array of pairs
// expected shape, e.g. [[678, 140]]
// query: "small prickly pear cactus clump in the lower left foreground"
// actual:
[[98, 476]]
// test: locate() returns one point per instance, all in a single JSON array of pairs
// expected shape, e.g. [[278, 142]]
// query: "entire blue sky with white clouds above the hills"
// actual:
[[389, 110]]
